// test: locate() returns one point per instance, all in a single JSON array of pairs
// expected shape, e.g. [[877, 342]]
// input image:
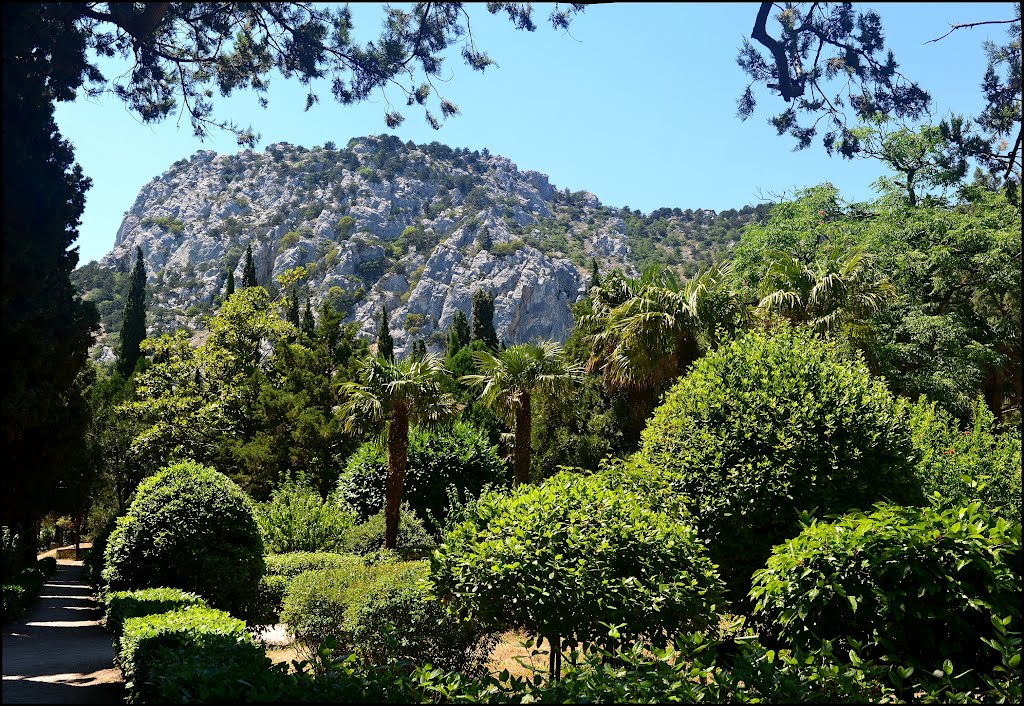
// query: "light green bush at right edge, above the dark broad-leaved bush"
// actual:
[[961, 467]]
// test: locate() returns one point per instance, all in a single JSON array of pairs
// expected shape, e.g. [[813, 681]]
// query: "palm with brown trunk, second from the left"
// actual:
[[511, 378]]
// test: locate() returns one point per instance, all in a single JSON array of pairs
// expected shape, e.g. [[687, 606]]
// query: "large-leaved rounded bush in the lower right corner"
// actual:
[[916, 586]]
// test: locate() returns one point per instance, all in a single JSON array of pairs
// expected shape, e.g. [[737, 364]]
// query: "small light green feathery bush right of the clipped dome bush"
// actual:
[[297, 519]]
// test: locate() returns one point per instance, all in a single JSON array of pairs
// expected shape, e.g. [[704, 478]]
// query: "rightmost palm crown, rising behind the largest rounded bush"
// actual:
[[836, 295]]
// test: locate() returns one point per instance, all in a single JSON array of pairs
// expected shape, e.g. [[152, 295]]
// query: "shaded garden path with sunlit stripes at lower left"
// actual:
[[58, 653]]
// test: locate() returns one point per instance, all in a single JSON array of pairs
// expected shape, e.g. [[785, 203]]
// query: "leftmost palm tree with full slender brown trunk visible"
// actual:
[[396, 394]]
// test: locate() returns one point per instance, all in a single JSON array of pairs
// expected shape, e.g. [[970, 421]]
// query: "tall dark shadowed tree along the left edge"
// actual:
[[47, 326]]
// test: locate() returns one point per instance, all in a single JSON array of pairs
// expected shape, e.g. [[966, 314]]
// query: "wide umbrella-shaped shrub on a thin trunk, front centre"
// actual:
[[571, 558]]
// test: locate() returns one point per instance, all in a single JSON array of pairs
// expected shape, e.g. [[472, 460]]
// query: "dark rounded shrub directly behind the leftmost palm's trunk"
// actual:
[[459, 456]]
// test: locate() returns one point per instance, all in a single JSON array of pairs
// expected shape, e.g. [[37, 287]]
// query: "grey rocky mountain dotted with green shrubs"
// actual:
[[414, 228]]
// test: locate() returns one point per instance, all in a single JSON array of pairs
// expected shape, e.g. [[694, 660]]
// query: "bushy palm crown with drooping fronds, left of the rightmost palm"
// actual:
[[646, 333]]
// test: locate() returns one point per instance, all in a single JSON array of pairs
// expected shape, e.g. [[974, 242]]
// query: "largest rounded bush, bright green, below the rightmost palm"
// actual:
[[770, 427]]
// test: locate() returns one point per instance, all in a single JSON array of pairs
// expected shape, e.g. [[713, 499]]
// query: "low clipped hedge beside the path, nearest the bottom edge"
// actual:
[[155, 648]]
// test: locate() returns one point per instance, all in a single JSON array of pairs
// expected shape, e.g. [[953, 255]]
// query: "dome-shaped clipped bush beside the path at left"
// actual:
[[191, 528]]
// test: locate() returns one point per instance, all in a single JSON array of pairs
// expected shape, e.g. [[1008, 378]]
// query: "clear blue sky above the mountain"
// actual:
[[636, 104]]
